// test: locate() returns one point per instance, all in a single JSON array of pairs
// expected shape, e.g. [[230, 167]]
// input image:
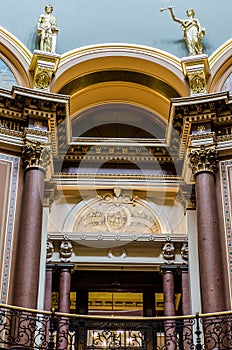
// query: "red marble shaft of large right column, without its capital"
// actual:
[[209, 244]]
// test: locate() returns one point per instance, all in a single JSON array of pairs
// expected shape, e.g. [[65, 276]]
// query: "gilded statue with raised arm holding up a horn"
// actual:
[[193, 32]]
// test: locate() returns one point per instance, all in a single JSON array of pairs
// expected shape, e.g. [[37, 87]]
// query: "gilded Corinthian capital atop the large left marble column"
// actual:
[[36, 155]]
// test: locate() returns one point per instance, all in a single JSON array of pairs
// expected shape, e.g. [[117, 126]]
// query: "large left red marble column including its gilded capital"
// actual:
[[26, 279]]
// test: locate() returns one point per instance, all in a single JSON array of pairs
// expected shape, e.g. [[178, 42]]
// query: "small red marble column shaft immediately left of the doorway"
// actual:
[[64, 289]]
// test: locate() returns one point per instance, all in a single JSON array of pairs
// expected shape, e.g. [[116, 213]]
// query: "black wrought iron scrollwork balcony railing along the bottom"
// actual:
[[33, 329]]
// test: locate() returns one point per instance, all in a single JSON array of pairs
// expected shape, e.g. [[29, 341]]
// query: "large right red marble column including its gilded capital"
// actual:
[[204, 166]]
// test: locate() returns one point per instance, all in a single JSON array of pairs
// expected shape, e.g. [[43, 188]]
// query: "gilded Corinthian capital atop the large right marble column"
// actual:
[[204, 158]]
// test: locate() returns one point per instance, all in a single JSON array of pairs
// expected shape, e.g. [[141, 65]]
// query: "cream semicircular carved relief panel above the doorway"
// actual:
[[117, 213]]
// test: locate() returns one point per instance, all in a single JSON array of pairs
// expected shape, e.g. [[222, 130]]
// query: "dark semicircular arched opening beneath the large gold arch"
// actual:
[[118, 120]]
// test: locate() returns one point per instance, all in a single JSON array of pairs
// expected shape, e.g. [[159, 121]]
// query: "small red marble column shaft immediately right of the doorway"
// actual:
[[169, 296]]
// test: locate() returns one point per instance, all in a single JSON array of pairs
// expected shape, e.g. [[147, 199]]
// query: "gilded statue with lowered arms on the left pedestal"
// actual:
[[47, 30]]
